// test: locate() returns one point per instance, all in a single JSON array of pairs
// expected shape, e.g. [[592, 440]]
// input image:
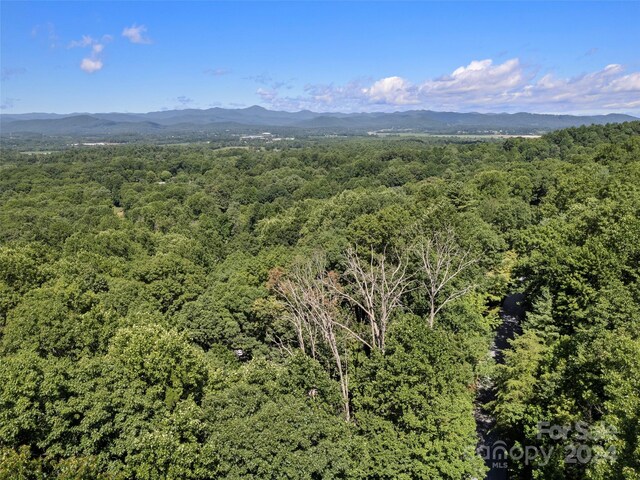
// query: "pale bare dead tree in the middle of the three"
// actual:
[[376, 286]]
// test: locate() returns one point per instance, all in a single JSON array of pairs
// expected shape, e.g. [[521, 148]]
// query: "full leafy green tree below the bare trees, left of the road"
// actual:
[[416, 401]]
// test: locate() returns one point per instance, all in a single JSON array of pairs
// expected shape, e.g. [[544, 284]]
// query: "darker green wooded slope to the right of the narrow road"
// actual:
[[577, 359]]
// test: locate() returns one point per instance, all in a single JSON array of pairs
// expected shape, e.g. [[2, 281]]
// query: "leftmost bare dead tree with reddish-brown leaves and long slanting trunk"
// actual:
[[314, 311]]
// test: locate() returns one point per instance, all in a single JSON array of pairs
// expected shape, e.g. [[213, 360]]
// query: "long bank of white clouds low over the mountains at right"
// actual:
[[481, 85]]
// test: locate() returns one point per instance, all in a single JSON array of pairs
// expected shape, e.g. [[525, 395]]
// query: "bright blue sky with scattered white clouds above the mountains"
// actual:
[[575, 57]]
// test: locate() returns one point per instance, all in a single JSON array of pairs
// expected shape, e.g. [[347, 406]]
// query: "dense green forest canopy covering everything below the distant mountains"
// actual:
[[319, 312]]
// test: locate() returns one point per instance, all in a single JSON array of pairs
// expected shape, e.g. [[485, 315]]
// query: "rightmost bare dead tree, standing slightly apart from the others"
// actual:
[[442, 261]]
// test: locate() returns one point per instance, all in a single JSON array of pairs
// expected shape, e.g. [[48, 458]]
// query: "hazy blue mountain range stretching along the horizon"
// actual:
[[258, 118]]
